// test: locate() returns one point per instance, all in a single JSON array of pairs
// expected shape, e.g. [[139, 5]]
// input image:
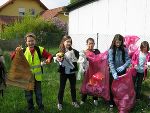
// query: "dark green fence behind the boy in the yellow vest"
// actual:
[[46, 40]]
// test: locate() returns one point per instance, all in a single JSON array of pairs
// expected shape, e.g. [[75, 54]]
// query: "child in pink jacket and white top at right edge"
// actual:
[[139, 62]]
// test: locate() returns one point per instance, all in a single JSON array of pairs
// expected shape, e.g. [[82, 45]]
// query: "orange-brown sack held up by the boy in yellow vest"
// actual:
[[20, 74]]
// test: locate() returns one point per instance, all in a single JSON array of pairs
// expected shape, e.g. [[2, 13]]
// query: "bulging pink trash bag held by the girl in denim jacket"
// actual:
[[124, 93]]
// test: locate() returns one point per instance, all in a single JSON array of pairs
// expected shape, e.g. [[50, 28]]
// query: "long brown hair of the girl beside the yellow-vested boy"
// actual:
[[61, 46]]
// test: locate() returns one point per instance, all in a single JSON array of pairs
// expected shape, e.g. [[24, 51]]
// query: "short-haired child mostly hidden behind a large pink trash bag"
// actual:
[[90, 48]]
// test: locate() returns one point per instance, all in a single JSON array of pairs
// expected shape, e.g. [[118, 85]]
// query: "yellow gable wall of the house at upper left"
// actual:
[[13, 9]]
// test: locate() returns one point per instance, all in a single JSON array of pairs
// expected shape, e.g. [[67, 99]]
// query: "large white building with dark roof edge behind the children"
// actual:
[[102, 19]]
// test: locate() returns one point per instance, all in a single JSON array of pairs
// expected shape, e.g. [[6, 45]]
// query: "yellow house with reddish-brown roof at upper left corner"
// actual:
[[14, 9]]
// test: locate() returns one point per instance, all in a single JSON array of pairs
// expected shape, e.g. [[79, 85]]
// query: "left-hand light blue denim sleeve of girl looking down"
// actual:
[[111, 62]]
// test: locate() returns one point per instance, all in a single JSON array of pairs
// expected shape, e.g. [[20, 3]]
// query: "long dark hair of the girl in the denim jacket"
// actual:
[[113, 46]]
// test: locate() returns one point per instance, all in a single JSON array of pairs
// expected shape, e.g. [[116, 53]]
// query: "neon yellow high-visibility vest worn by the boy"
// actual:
[[34, 63]]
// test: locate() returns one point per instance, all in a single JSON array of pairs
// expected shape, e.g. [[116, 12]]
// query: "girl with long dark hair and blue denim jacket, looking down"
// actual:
[[118, 60]]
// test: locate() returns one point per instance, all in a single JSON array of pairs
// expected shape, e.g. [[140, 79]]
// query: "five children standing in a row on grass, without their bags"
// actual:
[[118, 62]]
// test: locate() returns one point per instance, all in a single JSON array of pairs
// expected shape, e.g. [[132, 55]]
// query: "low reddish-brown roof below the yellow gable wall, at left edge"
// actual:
[[9, 19]]
